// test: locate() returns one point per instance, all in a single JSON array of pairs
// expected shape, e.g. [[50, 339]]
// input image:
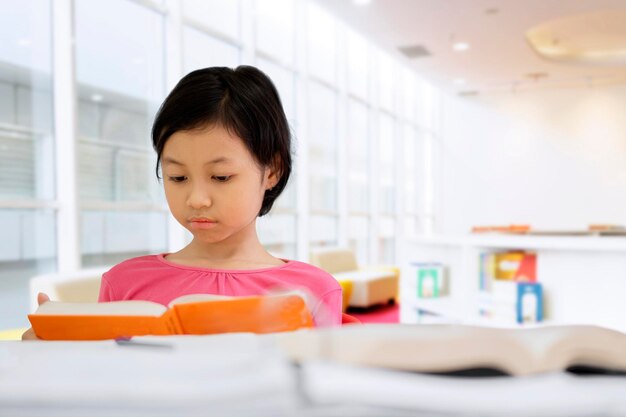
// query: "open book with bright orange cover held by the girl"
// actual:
[[189, 314]]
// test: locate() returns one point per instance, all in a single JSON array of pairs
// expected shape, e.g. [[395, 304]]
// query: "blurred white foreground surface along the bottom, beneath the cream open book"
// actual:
[[248, 375]]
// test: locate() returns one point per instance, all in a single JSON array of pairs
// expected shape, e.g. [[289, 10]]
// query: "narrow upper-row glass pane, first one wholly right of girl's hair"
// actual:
[[322, 44]]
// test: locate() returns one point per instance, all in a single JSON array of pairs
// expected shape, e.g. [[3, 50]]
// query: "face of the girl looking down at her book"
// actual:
[[213, 185]]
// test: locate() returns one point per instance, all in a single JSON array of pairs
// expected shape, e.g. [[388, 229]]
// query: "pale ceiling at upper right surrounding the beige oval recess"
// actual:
[[499, 58]]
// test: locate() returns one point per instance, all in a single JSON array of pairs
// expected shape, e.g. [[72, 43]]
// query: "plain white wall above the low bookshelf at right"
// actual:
[[553, 159]]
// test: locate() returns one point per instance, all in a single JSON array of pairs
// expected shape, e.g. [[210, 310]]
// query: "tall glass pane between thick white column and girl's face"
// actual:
[[116, 108]]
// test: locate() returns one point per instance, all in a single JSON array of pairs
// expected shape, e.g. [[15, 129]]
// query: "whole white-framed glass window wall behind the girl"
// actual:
[[389, 119]]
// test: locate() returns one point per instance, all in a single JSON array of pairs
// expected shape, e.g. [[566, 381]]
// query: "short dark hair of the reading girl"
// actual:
[[243, 100]]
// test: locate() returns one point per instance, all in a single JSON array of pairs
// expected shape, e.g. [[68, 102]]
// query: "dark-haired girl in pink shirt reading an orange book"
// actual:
[[224, 149]]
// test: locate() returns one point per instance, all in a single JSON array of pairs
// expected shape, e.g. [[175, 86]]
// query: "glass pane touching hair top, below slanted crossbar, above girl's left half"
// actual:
[[201, 50]]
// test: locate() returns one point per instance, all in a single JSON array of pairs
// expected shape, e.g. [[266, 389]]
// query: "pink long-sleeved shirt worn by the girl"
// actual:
[[154, 278]]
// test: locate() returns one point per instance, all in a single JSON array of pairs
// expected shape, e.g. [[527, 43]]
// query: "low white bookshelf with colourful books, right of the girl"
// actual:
[[582, 276]]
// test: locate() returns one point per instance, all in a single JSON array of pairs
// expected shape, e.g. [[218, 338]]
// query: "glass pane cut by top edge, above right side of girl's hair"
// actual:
[[274, 29]]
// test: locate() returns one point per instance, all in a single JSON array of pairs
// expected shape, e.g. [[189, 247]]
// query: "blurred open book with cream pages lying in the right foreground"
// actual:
[[464, 350]]
